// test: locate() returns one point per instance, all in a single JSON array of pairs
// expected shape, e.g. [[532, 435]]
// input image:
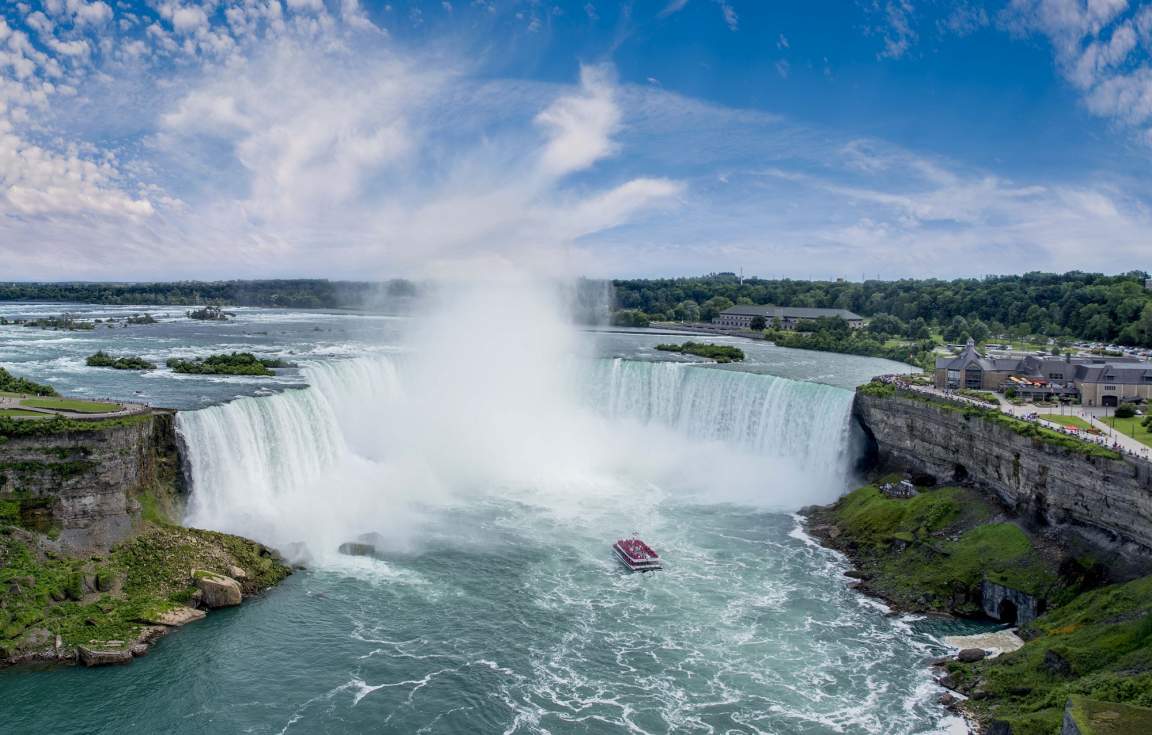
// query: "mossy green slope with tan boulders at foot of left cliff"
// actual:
[[110, 609]]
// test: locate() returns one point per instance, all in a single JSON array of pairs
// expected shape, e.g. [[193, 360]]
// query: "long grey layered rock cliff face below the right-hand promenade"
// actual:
[[1106, 502]]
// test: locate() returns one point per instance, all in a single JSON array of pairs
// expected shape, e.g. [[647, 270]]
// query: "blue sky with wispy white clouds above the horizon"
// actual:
[[354, 139]]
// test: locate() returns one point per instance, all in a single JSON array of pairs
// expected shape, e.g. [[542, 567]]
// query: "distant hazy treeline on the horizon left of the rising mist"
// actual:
[[289, 294]]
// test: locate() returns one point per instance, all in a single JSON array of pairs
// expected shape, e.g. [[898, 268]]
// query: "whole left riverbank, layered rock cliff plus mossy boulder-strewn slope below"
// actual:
[[94, 566]]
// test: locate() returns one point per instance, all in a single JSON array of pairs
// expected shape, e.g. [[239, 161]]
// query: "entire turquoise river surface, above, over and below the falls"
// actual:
[[494, 604]]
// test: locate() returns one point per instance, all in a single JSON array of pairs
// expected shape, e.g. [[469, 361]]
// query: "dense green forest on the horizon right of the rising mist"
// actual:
[[1083, 306]]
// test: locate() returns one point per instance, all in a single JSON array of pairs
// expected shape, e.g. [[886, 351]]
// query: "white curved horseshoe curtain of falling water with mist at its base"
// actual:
[[358, 452]]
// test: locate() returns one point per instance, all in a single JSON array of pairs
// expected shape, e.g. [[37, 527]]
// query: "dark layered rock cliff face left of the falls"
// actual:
[[88, 489]]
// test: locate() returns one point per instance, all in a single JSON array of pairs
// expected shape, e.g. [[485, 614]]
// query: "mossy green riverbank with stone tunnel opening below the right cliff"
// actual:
[[956, 551]]
